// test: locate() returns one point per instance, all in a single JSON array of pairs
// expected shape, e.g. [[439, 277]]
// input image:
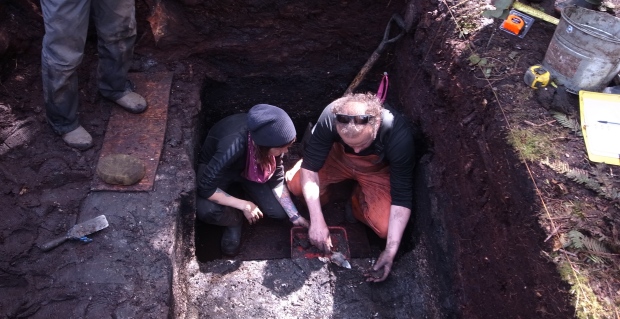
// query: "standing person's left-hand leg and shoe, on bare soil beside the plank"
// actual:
[[66, 27]]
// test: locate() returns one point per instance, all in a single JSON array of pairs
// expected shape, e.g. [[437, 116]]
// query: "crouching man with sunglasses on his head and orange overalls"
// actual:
[[356, 138]]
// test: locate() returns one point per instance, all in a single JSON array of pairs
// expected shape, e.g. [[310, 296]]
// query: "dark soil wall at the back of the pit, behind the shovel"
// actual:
[[249, 39]]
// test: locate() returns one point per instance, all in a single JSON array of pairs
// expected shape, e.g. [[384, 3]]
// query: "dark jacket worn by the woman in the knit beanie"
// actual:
[[224, 152]]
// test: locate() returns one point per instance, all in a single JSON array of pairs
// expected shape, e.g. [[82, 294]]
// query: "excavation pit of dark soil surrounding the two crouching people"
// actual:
[[473, 250]]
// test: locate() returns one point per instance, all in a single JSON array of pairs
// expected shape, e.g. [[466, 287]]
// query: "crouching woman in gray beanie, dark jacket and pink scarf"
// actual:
[[245, 149]]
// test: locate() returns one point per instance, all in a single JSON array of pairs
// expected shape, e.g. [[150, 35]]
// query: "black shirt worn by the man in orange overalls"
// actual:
[[393, 145]]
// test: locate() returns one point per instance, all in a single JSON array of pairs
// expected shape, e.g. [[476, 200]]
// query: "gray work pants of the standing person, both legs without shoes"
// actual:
[[66, 27]]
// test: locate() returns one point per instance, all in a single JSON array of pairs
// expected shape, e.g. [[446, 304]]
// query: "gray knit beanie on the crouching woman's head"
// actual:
[[270, 126]]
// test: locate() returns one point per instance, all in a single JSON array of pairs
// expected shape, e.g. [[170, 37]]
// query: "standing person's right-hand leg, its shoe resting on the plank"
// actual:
[[116, 29]]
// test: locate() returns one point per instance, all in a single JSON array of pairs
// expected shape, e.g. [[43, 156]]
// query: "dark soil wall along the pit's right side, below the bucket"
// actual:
[[483, 215]]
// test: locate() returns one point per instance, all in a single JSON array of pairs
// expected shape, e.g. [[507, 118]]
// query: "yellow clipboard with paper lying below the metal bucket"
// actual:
[[600, 124]]
